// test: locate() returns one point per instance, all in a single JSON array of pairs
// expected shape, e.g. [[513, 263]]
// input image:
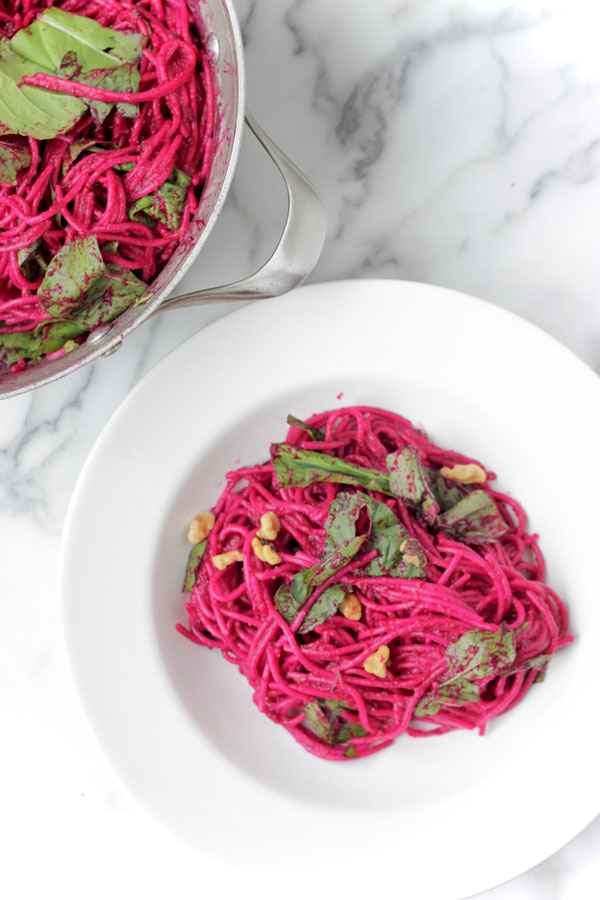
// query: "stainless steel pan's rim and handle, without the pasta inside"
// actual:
[[294, 257]]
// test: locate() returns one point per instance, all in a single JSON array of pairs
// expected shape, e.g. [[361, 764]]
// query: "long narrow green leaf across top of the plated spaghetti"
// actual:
[[299, 468]]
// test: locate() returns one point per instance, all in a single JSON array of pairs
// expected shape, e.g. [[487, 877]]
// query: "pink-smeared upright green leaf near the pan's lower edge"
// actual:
[[70, 274]]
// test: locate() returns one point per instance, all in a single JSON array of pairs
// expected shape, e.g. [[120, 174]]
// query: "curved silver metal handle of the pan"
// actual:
[[299, 247]]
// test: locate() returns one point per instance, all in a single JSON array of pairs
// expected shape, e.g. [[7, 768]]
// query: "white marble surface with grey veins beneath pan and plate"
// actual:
[[453, 142]]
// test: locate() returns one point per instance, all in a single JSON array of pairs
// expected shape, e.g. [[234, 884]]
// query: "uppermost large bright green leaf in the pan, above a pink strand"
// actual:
[[55, 33]]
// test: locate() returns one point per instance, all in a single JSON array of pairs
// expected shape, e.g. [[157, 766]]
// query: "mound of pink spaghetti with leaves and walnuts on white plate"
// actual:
[[459, 603]]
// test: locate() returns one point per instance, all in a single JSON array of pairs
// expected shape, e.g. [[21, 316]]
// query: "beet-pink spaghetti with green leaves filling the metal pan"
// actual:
[[106, 132]]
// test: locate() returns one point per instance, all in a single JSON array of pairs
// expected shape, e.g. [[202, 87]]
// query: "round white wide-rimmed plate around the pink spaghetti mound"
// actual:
[[435, 818]]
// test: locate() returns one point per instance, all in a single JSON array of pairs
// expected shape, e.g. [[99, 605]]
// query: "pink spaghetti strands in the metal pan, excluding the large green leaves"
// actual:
[[88, 181]]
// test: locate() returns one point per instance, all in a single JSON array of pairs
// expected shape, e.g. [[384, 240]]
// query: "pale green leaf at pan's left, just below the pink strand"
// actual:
[[29, 110]]
